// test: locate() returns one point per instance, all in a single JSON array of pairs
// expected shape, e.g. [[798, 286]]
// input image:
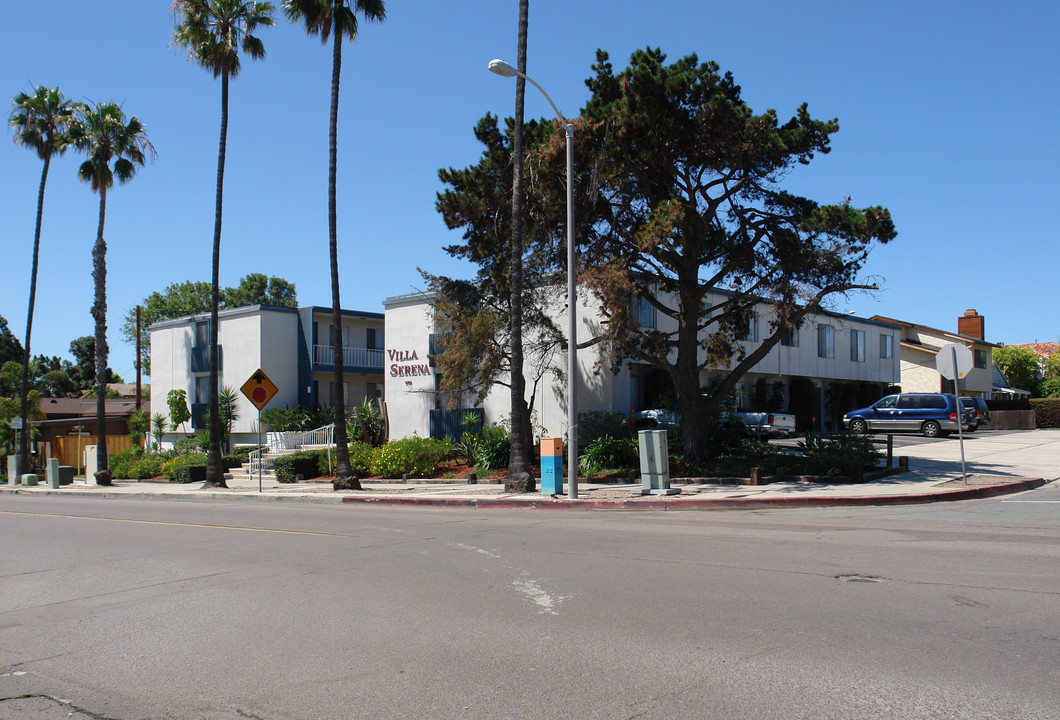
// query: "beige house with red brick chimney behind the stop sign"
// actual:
[[920, 345]]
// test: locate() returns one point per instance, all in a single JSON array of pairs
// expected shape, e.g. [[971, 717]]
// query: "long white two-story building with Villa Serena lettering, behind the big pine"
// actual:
[[827, 348]]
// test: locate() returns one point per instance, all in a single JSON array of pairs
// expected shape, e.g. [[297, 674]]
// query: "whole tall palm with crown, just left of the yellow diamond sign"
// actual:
[[215, 33]]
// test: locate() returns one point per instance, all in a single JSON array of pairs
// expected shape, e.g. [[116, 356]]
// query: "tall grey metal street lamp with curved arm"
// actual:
[[506, 71]]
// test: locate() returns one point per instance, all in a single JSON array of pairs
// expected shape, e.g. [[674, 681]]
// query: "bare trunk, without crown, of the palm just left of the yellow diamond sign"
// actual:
[[215, 467]]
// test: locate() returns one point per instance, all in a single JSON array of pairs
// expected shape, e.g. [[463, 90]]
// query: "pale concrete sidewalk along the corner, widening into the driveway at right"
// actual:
[[997, 463]]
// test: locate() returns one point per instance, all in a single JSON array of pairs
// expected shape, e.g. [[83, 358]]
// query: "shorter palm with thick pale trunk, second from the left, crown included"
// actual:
[[103, 134]]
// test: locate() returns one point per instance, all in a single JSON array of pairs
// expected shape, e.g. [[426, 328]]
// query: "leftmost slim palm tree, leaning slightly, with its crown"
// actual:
[[41, 122]]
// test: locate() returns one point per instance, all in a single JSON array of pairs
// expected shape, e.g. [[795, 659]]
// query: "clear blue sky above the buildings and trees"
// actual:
[[948, 114]]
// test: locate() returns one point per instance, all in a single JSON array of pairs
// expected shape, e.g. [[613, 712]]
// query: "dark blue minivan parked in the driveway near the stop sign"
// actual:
[[930, 414]]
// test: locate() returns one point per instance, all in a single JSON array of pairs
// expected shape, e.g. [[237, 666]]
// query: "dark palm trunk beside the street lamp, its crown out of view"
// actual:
[[520, 478]]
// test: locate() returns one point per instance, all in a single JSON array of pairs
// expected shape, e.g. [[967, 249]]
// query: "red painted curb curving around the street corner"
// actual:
[[673, 503]]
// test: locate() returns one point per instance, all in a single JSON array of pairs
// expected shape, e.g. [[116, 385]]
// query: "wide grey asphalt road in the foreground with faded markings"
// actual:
[[163, 609]]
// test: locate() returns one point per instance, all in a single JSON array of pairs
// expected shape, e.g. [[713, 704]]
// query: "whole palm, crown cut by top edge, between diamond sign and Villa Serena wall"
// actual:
[[335, 19]]
